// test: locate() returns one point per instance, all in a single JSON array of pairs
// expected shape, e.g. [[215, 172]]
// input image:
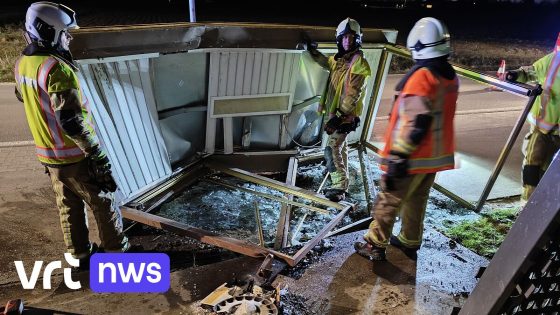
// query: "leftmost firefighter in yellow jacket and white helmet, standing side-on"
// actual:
[[65, 141]]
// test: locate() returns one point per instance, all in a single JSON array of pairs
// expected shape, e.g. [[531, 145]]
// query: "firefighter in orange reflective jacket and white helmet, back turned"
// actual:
[[419, 142]]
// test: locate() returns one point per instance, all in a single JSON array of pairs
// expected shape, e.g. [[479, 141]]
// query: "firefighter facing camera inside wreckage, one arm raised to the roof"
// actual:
[[342, 101]]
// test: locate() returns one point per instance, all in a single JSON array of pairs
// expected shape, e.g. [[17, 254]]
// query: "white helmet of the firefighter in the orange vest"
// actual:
[[429, 38]]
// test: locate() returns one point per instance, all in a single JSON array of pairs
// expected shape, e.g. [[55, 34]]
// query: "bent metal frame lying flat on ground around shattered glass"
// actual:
[[138, 210]]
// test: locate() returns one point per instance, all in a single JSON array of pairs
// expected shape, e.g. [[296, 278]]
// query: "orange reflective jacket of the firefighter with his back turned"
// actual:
[[435, 151]]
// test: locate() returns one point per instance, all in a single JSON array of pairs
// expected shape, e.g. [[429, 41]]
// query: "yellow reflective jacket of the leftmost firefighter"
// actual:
[[37, 78]]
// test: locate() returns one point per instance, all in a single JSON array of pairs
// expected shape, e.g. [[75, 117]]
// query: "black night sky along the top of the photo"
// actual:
[[537, 20]]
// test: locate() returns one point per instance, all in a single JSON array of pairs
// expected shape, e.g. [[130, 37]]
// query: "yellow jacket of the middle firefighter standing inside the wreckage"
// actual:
[[345, 90]]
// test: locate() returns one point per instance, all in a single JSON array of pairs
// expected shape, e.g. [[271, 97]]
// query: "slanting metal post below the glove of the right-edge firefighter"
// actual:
[[507, 148]]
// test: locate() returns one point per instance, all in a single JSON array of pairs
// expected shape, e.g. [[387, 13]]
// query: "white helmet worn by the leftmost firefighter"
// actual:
[[45, 21]]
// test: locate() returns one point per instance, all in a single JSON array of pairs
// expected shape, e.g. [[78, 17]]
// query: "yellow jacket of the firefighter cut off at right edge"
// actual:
[[545, 113]]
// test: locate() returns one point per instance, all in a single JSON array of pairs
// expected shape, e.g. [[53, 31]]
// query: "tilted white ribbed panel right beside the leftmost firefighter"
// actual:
[[123, 106]]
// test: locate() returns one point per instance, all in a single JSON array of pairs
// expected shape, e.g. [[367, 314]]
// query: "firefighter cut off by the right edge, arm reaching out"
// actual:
[[543, 140]]
